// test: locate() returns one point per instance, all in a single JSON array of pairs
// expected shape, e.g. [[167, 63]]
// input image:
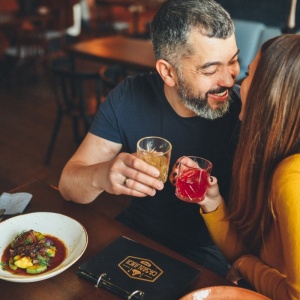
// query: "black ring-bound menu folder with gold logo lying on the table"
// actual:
[[135, 271]]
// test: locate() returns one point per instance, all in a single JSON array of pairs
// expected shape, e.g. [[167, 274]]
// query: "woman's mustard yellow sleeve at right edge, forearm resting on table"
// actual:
[[285, 197]]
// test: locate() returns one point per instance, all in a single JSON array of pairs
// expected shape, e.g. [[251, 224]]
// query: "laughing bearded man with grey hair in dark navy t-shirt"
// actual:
[[193, 102]]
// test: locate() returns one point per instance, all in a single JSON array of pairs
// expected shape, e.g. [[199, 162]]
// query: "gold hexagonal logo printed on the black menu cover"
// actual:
[[140, 268]]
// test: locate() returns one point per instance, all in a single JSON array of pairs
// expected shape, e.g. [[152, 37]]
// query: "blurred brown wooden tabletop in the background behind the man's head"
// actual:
[[131, 53]]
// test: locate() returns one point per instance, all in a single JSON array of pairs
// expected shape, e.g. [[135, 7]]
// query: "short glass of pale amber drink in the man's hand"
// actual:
[[156, 151]]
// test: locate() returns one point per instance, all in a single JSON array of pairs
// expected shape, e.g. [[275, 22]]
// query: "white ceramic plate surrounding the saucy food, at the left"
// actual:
[[68, 230]]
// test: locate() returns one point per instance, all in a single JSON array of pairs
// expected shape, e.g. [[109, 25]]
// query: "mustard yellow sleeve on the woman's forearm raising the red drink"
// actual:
[[223, 234]]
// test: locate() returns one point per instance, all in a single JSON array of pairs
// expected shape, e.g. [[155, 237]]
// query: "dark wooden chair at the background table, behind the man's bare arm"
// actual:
[[77, 95]]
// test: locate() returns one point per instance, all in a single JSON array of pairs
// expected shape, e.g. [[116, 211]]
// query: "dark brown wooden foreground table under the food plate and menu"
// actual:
[[101, 231]]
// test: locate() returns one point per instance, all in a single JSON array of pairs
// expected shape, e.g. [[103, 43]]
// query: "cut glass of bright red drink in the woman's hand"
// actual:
[[192, 179]]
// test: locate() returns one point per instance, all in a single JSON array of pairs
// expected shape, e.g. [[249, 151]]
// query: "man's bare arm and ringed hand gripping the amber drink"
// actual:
[[99, 166]]
